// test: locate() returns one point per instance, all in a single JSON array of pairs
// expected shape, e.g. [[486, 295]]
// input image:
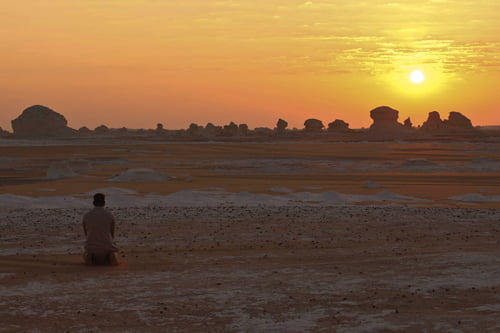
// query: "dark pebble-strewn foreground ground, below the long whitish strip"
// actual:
[[236, 269]]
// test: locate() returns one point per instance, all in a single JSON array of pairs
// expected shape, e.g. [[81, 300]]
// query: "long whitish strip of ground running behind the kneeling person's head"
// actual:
[[119, 197]]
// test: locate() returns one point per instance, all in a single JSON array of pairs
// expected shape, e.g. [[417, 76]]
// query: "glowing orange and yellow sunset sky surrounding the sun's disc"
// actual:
[[136, 63]]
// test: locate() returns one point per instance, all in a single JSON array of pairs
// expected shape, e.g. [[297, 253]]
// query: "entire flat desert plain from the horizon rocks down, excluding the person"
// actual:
[[253, 237]]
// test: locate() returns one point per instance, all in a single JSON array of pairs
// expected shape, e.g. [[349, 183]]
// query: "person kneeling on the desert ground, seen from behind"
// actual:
[[99, 228]]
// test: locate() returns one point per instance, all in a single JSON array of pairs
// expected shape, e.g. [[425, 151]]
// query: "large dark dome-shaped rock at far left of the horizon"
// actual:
[[39, 121]]
